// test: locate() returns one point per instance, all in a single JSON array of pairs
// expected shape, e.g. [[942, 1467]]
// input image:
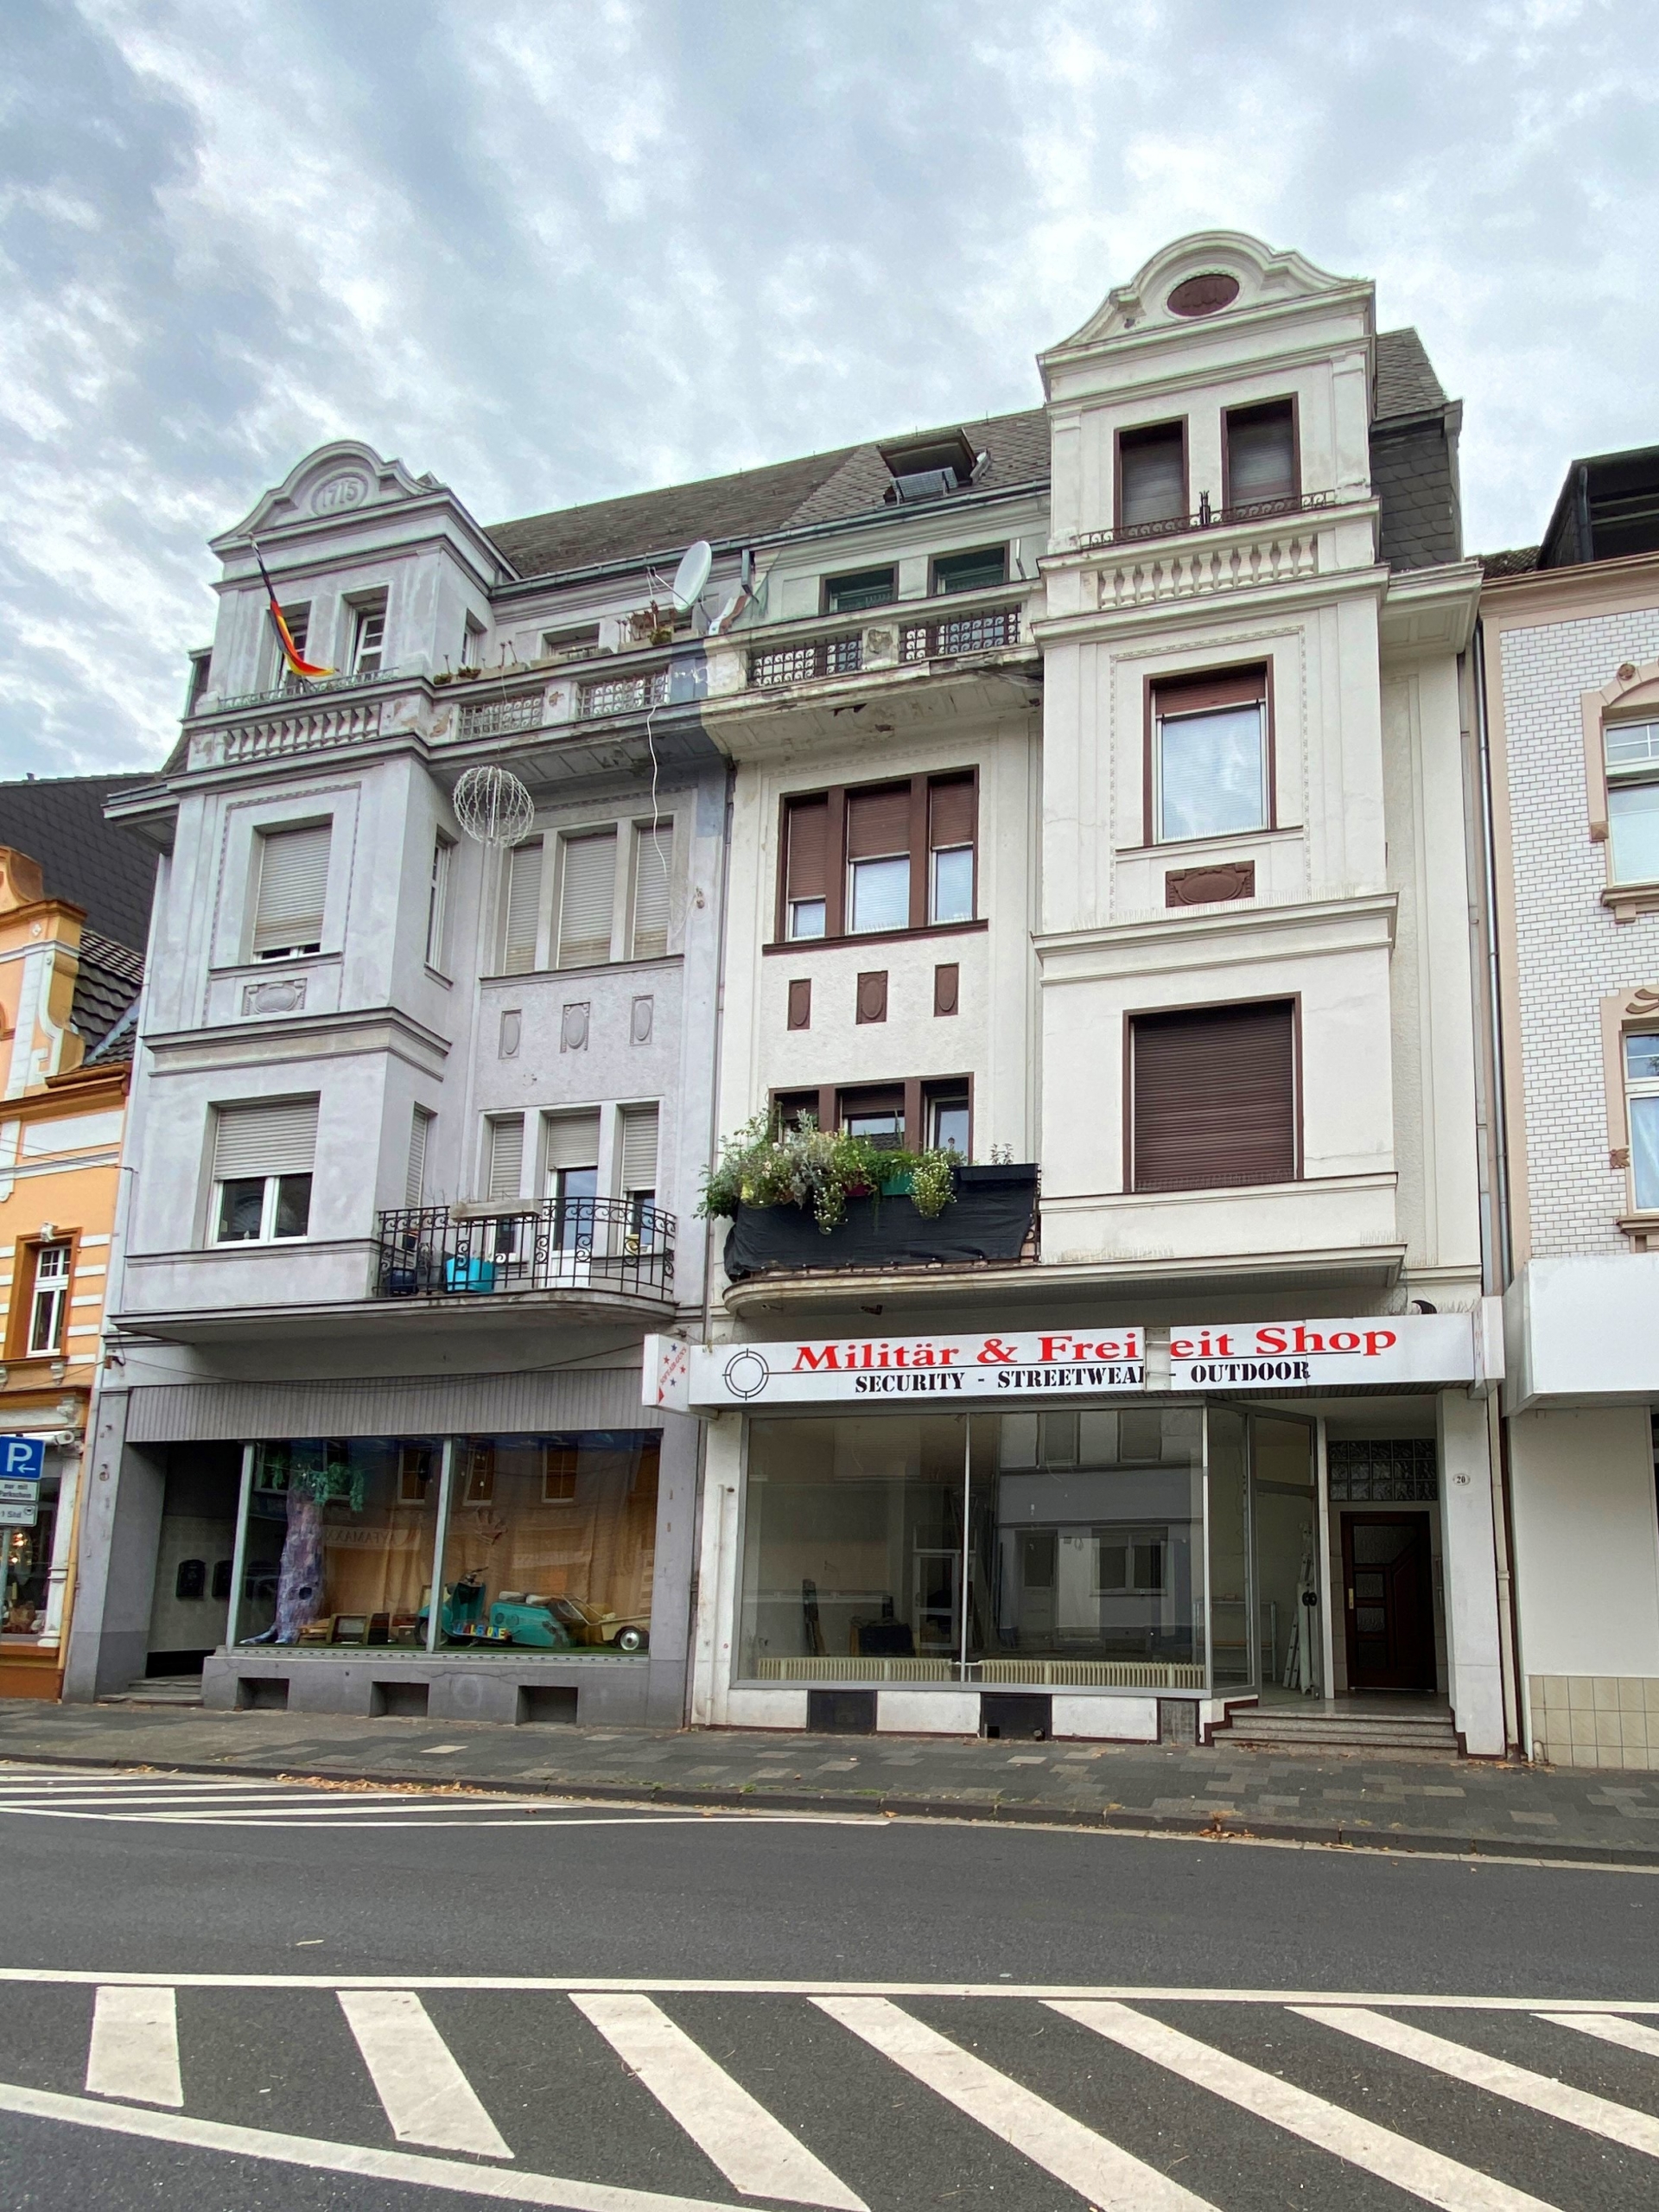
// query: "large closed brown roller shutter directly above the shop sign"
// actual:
[[1213, 1098]]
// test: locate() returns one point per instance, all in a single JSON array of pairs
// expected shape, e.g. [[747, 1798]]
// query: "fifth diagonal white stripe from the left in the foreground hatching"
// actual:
[[1331, 2127]]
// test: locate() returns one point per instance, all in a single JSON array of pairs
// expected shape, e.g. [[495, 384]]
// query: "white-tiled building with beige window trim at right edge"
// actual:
[[1572, 702]]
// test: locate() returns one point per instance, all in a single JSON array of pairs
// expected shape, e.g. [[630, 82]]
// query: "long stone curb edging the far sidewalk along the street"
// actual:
[[988, 1811]]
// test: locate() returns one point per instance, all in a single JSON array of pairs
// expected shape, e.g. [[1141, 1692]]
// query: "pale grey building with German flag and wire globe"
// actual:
[[417, 1131]]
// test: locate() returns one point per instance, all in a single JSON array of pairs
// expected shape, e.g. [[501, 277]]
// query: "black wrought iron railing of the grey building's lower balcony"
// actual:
[[618, 1246]]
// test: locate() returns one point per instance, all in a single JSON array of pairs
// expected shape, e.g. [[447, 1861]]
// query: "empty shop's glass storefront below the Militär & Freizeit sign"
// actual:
[[1109, 1547]]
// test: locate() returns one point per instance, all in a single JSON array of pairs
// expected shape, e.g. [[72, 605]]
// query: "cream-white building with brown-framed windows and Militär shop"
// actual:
[[1105, 808]]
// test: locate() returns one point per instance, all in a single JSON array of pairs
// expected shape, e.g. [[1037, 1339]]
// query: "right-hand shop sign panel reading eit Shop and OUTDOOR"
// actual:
[[1322, 1355]]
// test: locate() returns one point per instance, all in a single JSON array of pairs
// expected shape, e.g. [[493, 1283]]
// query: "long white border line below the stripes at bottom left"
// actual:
[[326, 2158]]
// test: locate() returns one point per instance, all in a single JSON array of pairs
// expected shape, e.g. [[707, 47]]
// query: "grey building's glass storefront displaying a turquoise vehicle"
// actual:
[[539, 1543]]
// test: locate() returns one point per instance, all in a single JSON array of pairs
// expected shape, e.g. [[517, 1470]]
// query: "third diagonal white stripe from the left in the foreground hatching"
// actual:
[[733, 2131]]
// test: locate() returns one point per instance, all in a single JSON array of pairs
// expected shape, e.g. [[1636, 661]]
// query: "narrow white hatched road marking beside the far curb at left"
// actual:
[[295, 1804]]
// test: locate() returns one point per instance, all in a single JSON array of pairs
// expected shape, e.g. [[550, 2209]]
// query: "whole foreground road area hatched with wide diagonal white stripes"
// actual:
[[698, 2096]]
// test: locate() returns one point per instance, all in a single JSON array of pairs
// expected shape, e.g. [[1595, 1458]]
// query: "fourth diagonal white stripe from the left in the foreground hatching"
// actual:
[[1098, 2169]]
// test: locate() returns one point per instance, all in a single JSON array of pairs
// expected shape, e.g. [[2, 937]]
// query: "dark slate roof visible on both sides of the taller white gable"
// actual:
[[1419, 523]]
